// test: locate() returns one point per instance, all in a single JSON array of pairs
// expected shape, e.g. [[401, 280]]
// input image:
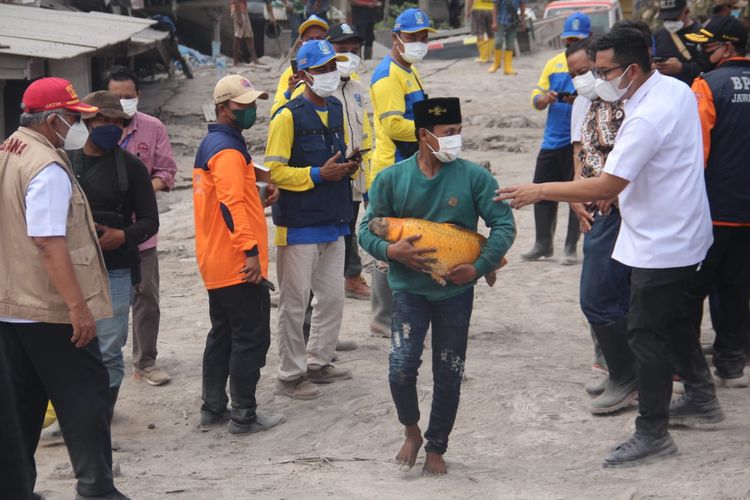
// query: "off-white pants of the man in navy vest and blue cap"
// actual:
[[300, 269]]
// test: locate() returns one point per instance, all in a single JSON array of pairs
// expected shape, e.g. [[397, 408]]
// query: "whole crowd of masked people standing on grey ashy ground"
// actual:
[[652, 169]]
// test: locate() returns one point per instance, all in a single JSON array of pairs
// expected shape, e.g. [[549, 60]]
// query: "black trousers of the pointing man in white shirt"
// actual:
[[663, 342]]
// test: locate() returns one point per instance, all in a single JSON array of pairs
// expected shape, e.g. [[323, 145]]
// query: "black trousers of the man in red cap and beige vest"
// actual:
[[44, 365]]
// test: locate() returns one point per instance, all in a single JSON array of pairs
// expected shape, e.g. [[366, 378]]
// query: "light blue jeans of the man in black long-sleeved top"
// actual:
[[113, 332]]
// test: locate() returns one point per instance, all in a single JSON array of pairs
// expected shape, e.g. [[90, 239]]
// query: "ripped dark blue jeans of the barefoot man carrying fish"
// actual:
[[412, 315]]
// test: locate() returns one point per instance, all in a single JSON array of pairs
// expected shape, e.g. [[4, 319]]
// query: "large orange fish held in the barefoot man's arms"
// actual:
[[455, 245]]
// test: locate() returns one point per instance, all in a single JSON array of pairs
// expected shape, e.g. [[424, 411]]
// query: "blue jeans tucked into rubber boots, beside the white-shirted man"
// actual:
[[605, 282]]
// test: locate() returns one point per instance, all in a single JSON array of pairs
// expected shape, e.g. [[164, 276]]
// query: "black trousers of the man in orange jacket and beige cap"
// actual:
[[236, 348]]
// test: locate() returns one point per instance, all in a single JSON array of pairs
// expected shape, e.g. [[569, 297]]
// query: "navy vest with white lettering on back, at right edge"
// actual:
[[728, 169]]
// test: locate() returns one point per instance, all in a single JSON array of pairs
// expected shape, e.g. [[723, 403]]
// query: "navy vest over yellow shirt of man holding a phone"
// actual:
[[328, 202]]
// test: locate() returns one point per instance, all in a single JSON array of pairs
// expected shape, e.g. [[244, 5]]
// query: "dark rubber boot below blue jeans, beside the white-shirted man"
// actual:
[[621, 389]]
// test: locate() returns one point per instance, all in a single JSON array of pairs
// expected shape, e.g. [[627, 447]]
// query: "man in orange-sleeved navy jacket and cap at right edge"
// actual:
[[724, 108]]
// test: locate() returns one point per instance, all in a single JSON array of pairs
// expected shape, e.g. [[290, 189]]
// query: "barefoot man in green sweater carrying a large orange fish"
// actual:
[[422, 219]]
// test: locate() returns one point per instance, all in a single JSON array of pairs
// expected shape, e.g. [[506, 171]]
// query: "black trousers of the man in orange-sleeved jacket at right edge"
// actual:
[[725, 270]]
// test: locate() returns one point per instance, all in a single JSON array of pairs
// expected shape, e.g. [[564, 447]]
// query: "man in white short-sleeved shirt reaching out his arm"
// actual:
[[656, 168]]
